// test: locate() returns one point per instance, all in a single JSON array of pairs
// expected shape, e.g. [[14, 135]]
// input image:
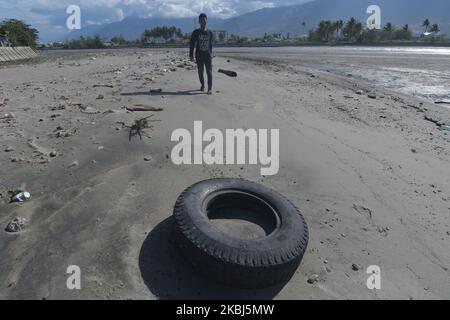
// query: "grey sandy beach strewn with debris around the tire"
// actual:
[[368, 168]]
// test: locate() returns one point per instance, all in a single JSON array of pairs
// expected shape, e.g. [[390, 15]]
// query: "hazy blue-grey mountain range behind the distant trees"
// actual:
[[290, 19]]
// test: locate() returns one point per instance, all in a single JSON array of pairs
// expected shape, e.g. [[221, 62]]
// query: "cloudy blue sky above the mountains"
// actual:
[[49, 16]]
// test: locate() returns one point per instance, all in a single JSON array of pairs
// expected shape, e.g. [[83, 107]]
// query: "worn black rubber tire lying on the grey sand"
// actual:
[[249, 264]]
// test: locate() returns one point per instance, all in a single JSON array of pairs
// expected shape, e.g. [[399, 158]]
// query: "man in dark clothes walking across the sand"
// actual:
[[202, 40]]
